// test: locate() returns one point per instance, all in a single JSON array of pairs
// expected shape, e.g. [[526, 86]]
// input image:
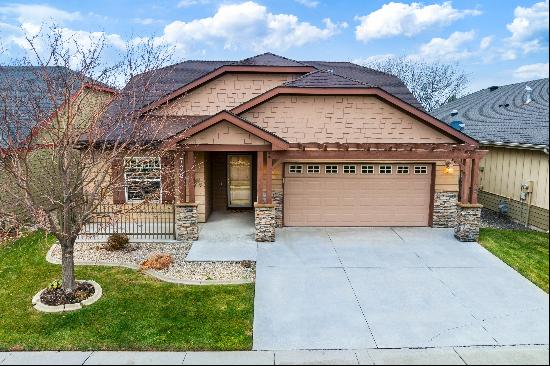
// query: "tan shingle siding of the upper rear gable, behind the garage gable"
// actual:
[[224, 92]]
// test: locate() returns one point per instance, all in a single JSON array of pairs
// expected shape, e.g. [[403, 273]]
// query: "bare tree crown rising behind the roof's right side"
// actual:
[[433, 83]]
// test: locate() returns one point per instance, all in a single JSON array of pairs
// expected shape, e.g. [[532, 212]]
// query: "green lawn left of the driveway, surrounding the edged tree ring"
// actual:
[[136, 312]]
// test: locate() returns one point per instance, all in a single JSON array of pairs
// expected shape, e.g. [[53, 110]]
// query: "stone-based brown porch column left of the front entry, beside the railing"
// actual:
[[187, 217]]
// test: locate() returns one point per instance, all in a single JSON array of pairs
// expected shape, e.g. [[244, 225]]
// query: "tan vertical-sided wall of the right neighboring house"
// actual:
[[505, 169]]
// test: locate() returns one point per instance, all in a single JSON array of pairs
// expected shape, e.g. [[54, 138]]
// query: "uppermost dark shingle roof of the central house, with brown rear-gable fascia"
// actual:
[[171, 81]]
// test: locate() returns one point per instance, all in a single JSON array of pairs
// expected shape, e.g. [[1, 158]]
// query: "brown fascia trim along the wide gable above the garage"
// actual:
[[374, 91]]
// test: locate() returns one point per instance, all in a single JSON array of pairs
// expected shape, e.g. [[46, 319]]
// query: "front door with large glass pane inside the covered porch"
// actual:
[[239, 180]]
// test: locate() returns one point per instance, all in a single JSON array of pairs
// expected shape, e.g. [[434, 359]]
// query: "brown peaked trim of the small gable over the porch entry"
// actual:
[[276, 142]]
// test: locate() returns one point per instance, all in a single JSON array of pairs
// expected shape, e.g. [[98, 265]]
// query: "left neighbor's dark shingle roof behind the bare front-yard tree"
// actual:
[[31, 95]]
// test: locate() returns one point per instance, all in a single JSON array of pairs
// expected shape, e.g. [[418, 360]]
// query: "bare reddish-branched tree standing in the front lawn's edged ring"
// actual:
[[63, 127]]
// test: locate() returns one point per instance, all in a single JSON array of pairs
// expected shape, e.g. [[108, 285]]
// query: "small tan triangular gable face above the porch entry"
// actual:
[[225, 133]]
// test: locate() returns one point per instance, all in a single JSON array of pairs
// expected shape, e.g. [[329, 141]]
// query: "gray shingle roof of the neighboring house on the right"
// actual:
[[501, 115]]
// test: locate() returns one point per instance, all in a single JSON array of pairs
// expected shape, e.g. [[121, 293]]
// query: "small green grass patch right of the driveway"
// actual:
[[525, 251]]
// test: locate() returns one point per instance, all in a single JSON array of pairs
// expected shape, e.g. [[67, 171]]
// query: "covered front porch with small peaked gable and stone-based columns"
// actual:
[[224, 165]]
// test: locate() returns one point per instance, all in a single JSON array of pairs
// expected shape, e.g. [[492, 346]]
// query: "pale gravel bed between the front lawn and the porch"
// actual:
[[179, 270]]
